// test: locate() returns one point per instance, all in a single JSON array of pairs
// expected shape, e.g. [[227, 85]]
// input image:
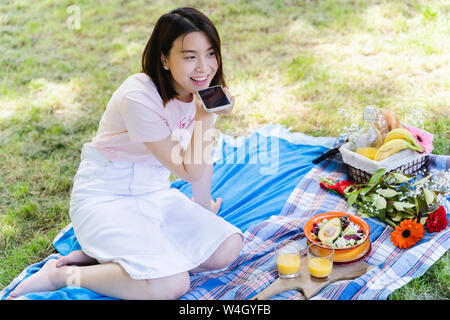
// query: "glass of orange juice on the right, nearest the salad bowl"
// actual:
[[320, 262]]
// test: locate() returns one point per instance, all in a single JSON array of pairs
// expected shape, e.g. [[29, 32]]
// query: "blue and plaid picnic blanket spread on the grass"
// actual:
[[270, 189]]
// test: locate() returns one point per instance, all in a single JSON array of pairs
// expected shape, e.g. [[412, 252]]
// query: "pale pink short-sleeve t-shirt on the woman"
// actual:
[[135, 114]]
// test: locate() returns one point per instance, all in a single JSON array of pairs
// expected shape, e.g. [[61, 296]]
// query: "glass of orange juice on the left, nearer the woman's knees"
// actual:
[[288, 260]]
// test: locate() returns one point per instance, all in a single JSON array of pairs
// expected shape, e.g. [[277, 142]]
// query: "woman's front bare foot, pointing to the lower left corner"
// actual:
[[45, 279]]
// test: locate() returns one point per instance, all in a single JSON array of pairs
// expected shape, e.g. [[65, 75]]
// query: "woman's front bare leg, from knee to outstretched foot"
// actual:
[[108, 279]]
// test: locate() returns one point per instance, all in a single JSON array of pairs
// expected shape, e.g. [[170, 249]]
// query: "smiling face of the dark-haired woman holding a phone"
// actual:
[[192, 63]]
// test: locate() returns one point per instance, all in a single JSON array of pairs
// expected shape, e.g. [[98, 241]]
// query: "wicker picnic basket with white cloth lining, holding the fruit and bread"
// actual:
[[360, 168]]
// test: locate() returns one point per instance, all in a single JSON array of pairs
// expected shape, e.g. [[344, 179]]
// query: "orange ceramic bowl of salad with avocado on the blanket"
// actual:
[[346, 233]]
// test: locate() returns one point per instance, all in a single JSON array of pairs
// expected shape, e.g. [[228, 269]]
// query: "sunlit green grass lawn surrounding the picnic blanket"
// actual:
[[310, 65]]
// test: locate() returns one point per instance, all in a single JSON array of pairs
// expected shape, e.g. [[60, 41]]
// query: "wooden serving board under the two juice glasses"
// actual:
[[309, 287]]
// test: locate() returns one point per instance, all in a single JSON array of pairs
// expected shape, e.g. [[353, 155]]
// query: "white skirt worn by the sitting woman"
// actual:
[[126, 212]]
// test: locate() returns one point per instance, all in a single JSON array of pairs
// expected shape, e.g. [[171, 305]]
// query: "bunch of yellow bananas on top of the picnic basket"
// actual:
[[395, 141]]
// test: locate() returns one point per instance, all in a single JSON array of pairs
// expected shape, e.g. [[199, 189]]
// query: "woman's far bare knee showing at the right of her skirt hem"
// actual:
[[224, 255]]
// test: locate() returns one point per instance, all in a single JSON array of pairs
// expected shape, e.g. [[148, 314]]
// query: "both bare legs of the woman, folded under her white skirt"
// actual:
[[111, 280]]
